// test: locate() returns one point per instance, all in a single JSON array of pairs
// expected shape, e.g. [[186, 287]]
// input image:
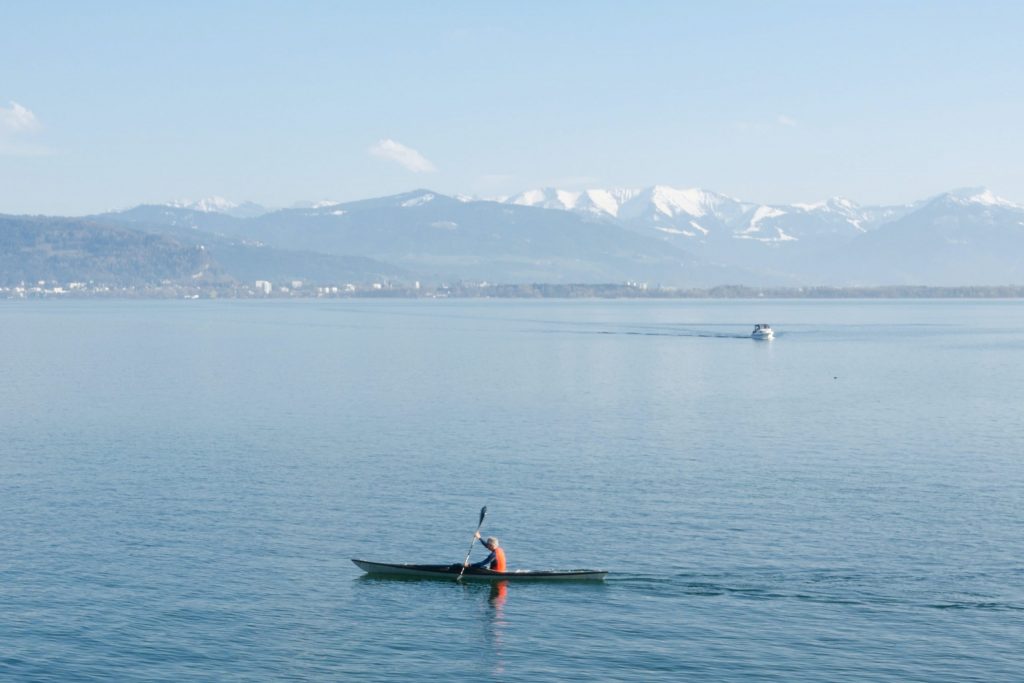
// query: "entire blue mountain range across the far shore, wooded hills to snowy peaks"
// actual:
[[659, 235]]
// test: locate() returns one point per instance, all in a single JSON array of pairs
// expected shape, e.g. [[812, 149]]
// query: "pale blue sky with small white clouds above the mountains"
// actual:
[[109, 105]]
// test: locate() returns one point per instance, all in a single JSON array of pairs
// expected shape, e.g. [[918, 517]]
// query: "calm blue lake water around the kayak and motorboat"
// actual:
[[184, 485]]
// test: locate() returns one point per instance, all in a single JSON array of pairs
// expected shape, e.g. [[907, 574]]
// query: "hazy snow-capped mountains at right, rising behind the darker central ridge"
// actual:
[[946, 240]]
